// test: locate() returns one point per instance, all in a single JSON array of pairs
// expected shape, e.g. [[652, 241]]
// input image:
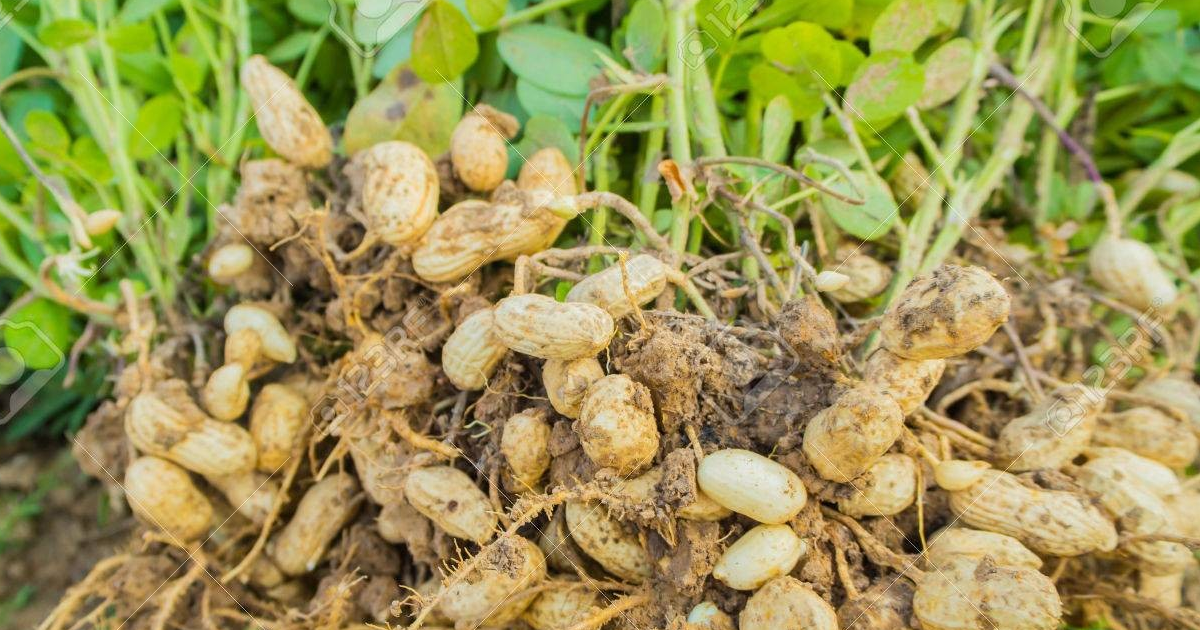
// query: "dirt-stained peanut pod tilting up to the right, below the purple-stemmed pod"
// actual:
[[1053, 434]]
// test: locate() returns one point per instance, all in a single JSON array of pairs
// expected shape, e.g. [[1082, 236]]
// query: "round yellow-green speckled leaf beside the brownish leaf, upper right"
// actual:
[[885, 86]]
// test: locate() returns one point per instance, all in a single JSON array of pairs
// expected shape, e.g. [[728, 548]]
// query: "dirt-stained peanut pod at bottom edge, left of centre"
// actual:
[[496, 591]]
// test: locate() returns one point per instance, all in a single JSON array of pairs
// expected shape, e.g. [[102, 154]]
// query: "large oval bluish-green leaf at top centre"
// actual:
[[551, 58]]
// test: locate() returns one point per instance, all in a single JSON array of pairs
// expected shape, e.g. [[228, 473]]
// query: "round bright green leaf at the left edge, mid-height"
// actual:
[[40, 333]]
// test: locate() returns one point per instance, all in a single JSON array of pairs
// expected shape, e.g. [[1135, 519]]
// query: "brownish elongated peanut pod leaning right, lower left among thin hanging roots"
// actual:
[[322, 513]]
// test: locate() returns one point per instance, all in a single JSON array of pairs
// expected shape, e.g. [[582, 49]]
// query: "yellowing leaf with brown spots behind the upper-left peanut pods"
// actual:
[[404, 107]]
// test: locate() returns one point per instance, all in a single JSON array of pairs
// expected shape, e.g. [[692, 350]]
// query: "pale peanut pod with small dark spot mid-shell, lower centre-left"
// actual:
[[452, 500]]
